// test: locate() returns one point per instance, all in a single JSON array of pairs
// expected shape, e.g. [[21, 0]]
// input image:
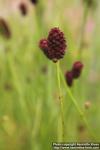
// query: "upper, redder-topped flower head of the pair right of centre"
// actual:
[[77, 69]]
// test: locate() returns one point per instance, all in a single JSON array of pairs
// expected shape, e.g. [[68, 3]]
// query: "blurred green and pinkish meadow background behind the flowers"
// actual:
[[29, 105]]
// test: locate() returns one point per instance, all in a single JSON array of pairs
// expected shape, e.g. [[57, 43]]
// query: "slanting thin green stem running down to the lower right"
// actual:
[[74, 101]]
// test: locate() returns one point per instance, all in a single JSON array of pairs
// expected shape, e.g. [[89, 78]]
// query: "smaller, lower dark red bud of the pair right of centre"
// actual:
[[69, 78]]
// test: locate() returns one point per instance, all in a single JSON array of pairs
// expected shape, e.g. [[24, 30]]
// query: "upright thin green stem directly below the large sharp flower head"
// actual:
[[61, 102]]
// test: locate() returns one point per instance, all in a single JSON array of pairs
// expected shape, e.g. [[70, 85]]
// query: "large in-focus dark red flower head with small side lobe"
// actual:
[[55, 44]]
